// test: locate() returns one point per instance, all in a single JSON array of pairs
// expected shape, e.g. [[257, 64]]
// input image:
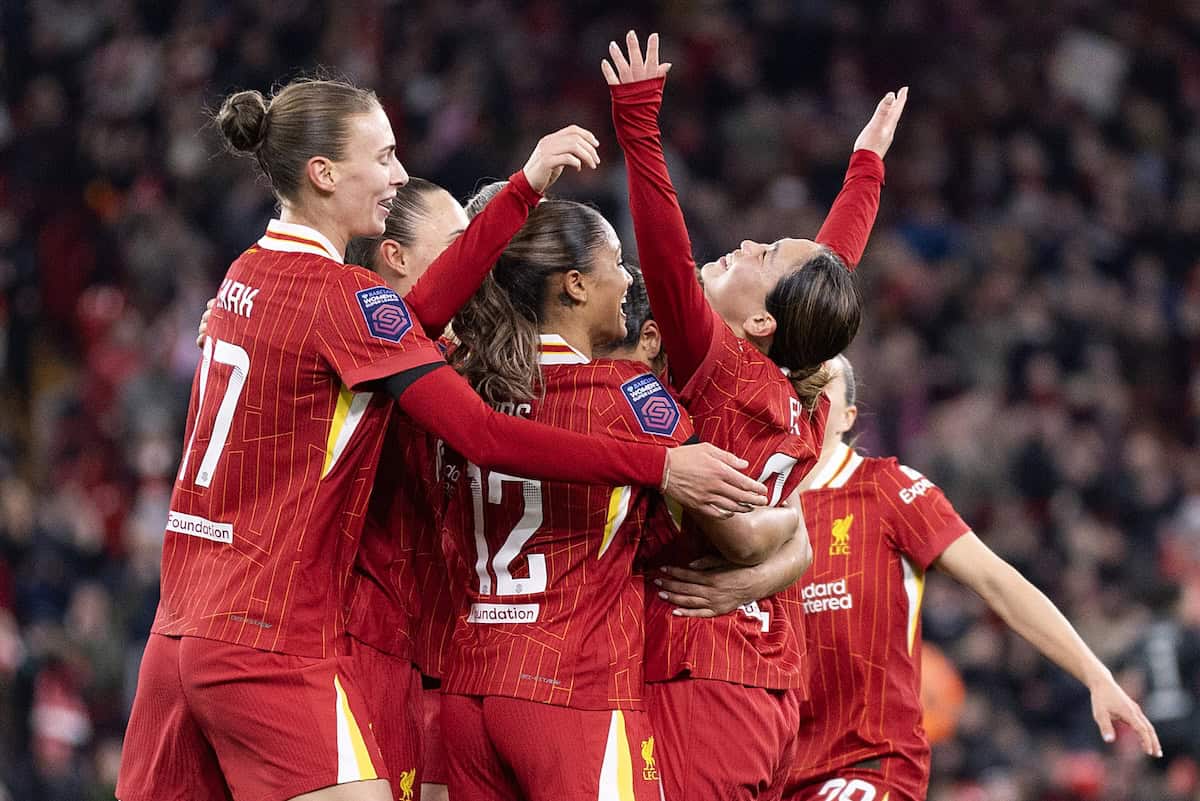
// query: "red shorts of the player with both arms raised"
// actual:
[[723, 740]]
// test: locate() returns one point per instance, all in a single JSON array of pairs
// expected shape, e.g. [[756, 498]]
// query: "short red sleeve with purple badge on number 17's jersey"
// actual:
[[365, 332]]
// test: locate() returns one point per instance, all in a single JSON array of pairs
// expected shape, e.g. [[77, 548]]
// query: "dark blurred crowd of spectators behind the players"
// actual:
[[1031, 344]]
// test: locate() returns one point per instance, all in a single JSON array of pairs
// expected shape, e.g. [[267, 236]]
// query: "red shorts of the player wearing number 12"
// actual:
[[512, 750]]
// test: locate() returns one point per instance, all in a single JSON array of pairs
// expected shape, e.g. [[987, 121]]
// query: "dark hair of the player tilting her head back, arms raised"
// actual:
[[818, 311]]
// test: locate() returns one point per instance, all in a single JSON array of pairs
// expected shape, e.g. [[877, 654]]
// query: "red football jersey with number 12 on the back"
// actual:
[[553, 611]]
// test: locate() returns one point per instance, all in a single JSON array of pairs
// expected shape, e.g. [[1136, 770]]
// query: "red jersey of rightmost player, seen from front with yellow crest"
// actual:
[[877, 527]]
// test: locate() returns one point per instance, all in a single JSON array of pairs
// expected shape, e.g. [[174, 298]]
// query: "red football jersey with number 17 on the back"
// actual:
[[281, 447]]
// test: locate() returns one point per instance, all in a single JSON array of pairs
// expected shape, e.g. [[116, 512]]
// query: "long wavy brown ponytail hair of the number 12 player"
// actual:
[[499, 328]]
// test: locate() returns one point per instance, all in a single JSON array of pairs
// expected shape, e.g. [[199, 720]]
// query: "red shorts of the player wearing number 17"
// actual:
[[214, 721]]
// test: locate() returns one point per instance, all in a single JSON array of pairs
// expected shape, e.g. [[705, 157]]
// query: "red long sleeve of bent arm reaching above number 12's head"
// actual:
[[458, 274]]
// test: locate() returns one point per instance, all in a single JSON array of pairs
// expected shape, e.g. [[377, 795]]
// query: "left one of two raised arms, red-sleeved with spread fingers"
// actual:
[[663, 246]]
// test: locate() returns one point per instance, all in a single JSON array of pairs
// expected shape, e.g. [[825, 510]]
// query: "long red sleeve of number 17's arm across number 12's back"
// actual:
[[445, 405]]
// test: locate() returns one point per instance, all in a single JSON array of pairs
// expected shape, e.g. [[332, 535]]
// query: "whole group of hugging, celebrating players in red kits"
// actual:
[[573, 549]]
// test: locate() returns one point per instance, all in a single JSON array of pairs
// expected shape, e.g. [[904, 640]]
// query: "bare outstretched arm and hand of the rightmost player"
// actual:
[[1033, 616]]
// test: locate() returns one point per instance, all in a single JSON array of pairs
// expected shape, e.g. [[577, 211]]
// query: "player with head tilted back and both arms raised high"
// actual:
[[746, 352]]
